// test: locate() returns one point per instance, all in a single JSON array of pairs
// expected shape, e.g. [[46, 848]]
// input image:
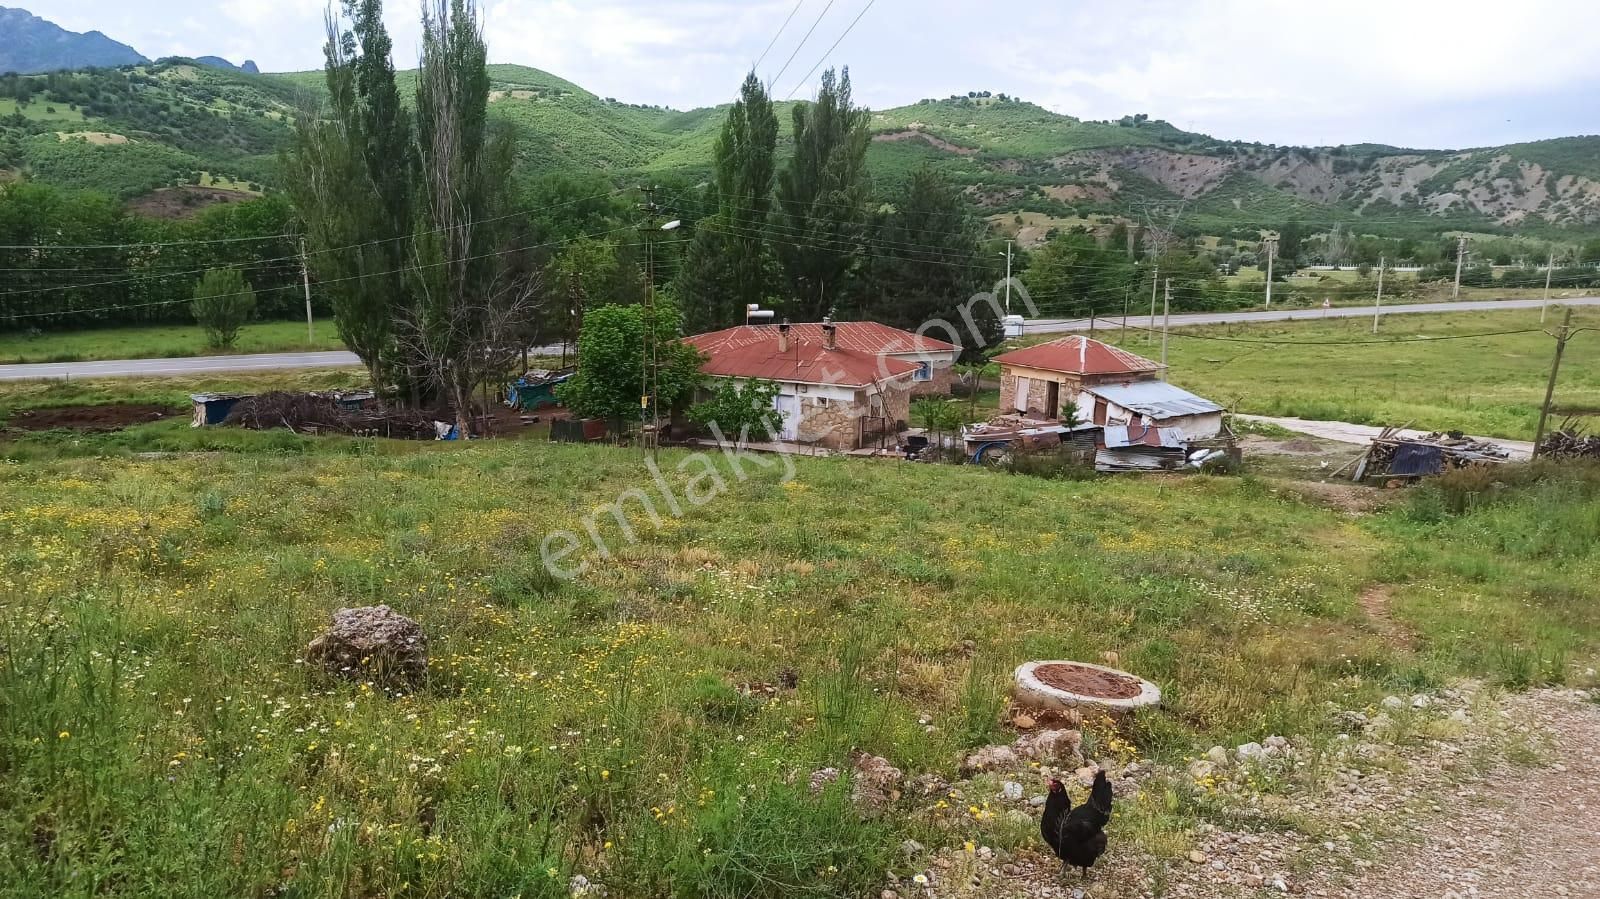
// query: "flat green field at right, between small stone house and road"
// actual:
[[1329, 370]]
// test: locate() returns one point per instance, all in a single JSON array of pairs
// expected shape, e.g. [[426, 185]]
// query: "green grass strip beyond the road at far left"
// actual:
[[159, 342]]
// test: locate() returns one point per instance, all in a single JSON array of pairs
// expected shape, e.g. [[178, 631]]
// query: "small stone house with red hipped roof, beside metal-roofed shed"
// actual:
[[1044, 380]]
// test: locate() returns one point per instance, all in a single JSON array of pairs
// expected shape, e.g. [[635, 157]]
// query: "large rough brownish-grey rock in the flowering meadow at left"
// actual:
[[372, 644]]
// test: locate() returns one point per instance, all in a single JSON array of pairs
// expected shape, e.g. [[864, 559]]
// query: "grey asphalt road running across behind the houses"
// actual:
[[340, 359]]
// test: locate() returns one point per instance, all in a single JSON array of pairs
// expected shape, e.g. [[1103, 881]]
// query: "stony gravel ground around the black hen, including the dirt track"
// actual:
[[1478, 797]]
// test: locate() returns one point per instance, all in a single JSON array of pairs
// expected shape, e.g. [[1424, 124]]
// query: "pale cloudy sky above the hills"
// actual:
[[1407, 73]]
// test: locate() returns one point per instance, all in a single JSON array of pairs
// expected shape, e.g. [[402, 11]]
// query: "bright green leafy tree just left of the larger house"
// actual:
[[612, 375]]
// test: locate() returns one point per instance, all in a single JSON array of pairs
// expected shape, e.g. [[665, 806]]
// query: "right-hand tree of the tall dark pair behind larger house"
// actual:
[[822, 198]]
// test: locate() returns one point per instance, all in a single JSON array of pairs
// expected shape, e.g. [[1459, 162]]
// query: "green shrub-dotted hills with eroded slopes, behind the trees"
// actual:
[[175, 126]]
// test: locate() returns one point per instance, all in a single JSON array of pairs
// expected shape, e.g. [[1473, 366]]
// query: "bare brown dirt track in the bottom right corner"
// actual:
[[1514, 833]]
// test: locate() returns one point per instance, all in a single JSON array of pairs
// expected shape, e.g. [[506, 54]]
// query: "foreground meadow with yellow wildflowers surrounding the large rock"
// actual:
[[161, 735]]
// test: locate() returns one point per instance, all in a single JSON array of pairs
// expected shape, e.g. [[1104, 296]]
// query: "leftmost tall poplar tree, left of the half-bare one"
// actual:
[[351, 177]]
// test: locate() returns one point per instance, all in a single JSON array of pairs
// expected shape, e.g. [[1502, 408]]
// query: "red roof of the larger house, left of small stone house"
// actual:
[[753, 353]]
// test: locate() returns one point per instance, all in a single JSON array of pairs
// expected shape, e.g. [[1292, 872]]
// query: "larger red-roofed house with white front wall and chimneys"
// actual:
[[842, 385]]
